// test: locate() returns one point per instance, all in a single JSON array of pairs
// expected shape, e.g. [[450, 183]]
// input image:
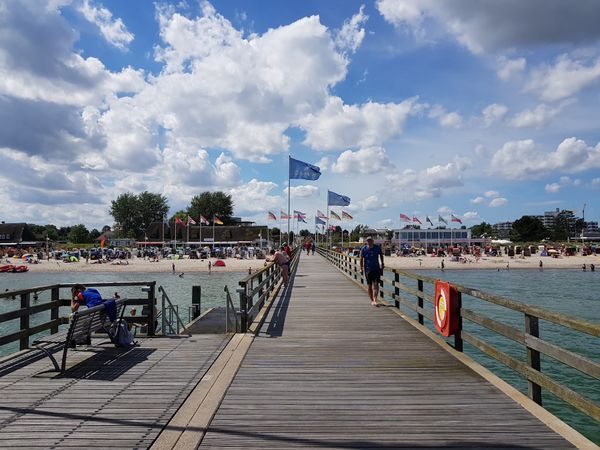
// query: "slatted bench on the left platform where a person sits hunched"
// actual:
[[82, 324]]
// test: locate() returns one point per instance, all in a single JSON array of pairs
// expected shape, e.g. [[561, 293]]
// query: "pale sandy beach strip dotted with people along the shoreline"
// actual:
[[139, 265]]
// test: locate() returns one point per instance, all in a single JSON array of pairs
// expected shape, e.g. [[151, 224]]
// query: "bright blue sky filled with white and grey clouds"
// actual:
[[485, 110]]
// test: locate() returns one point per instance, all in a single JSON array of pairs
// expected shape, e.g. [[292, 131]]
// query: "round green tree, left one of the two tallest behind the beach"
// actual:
[[134, 213]]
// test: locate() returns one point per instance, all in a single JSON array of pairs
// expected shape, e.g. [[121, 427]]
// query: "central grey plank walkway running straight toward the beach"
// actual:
[[330, 371]]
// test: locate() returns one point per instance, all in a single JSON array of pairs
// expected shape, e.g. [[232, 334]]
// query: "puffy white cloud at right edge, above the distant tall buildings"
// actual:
[[523, 159]]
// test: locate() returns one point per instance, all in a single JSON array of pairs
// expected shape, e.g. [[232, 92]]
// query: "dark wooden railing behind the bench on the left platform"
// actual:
[[33, 305]]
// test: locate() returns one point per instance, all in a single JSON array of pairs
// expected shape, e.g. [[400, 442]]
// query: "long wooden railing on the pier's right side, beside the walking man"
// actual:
[[395, 288]]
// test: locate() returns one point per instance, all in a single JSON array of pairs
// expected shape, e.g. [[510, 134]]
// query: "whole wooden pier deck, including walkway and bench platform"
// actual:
[[324, 370]]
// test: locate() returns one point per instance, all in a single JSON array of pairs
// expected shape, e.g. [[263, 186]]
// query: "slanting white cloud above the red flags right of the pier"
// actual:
[[430, 182]]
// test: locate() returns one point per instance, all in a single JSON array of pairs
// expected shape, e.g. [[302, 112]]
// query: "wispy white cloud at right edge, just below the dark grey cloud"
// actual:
[[564, 79]]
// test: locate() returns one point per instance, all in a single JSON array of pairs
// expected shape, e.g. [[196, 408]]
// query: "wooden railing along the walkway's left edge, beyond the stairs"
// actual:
[[256, 288]]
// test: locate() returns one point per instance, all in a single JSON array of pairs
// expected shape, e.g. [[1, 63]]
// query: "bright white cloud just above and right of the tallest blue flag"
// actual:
[[339, 126]]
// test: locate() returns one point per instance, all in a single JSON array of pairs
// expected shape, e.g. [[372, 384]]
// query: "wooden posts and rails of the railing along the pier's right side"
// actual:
[[529, 337]]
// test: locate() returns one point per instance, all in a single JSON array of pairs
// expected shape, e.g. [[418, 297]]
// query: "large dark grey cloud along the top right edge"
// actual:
[[490, 26]]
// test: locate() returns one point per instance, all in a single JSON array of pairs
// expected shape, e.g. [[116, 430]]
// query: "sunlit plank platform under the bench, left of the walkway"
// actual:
[[109, 398]]
